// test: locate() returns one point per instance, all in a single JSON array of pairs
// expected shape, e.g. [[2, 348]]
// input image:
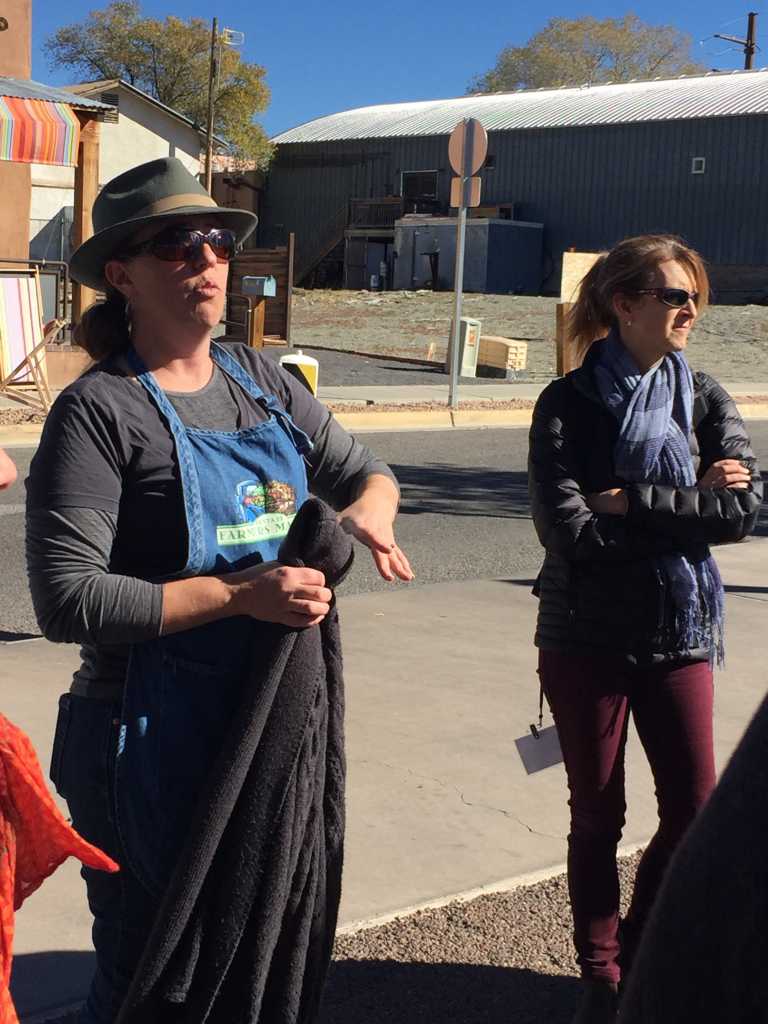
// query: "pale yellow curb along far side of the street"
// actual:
[[28, 435]]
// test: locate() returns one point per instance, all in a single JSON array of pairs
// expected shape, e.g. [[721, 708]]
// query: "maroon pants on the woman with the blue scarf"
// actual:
[[591, 698]]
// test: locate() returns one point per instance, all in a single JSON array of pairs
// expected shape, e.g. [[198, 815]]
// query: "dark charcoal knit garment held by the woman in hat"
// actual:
[[245, 932]]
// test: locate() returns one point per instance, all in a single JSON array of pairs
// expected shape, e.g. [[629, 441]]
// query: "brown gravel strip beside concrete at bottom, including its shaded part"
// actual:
[[502, 959]]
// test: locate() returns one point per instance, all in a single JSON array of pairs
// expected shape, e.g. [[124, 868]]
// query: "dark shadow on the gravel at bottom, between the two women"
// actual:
[[394, 993]]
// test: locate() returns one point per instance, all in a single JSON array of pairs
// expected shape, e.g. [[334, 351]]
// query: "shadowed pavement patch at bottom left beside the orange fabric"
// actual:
[[51, 982]]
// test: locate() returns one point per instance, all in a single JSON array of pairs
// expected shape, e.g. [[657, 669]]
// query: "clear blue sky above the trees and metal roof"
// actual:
[[327, 57]]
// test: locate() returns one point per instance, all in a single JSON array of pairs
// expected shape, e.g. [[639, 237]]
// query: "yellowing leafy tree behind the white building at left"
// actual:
[[170, 61]]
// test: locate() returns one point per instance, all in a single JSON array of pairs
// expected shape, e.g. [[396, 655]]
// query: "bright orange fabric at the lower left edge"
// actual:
[[35, 839]]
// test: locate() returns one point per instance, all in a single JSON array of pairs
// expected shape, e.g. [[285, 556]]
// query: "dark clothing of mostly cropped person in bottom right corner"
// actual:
[[705, 950]]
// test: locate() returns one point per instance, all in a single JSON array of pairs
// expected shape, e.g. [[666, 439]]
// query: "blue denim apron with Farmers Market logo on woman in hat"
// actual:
[[242, 490]]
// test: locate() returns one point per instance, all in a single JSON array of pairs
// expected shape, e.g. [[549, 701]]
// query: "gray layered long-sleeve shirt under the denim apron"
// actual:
[[105, 506]]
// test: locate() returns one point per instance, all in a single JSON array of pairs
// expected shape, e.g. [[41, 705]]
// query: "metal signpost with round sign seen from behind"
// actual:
[[467, 149]]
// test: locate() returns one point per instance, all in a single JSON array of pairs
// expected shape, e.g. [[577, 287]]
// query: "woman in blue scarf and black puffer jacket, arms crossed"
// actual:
[[636, 467]]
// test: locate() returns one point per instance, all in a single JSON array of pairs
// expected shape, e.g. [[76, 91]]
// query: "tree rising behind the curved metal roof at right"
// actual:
[[575, 52]]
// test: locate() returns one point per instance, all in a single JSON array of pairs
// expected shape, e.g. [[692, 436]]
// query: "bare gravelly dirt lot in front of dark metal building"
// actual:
[[731, 343]]
